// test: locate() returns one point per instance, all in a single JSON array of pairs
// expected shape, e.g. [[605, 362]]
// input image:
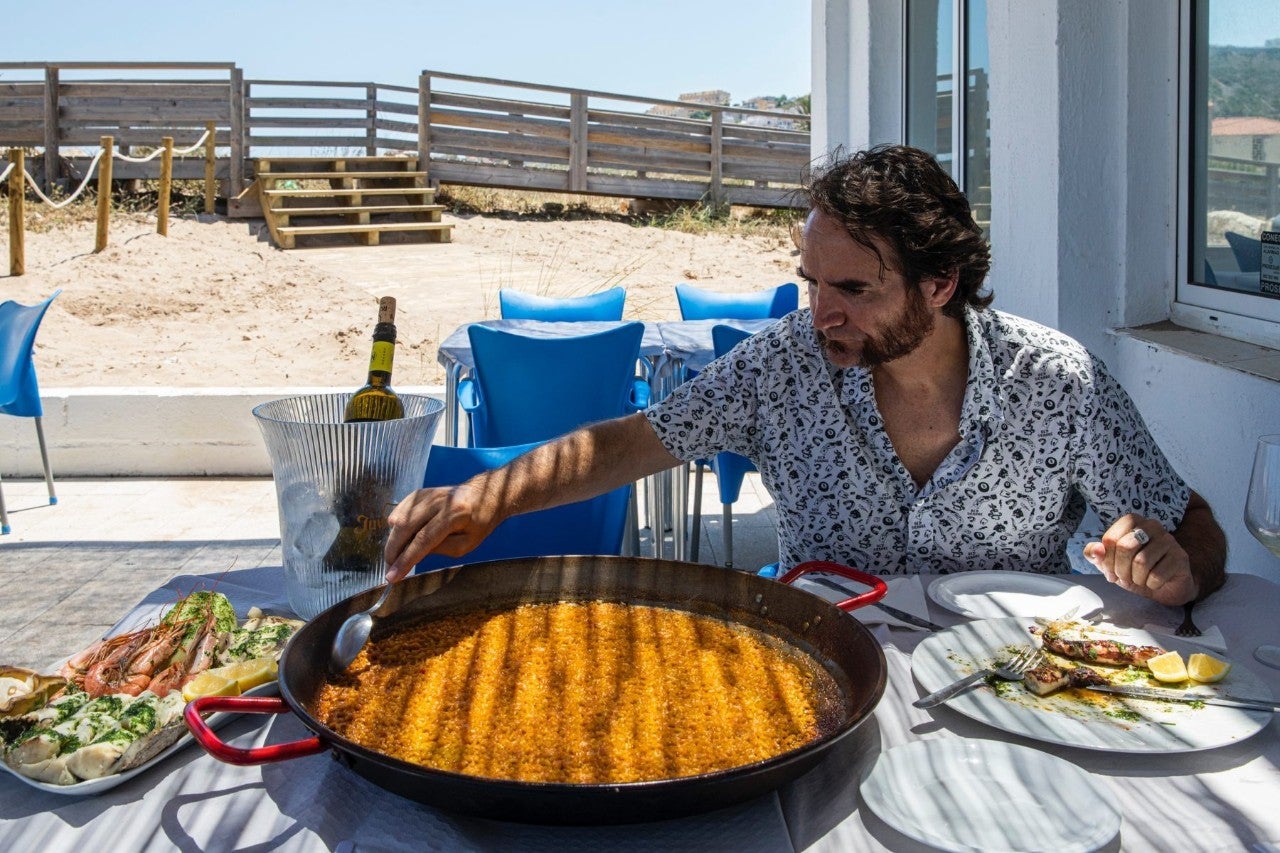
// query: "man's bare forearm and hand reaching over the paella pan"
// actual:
[[589, 462]]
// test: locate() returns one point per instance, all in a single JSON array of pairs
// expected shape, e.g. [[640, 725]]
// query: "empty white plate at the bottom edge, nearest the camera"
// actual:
[[989, 796]]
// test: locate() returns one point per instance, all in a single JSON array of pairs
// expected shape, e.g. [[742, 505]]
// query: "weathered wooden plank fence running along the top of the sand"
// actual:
[[465, 130]]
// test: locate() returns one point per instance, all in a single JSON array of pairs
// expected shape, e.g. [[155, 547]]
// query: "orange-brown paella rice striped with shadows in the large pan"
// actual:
[[579, 692]]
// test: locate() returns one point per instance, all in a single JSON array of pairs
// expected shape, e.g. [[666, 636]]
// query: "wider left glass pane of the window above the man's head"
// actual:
[[930, 77]]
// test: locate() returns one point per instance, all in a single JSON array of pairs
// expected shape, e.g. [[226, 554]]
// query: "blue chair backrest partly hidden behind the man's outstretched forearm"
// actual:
[[591, 527]]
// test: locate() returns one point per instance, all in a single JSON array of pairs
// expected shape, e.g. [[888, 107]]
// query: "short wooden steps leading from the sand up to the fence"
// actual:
[[363, 198]]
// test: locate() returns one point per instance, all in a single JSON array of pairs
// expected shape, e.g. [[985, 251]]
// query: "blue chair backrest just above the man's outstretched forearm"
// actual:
[[536, 389]]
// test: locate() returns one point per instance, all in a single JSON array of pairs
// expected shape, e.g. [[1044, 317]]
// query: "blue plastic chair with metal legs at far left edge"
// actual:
[[20, 393]]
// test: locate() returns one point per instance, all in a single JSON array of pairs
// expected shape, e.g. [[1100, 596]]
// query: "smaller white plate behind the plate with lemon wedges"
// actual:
[[991, 595]]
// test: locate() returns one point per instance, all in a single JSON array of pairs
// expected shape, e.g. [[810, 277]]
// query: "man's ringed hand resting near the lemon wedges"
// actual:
[[1139, 555]]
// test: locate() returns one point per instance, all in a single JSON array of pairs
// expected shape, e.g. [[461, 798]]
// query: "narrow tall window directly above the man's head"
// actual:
[[947, 40]]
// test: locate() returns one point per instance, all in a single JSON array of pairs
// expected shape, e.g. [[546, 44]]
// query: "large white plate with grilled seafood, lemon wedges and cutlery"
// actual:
[[1071, 697]]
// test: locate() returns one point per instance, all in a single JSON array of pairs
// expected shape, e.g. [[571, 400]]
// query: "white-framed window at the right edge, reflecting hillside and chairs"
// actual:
[[1232, 162]]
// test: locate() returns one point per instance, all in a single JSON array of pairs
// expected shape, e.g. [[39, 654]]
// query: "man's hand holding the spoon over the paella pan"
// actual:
[[449, 521]]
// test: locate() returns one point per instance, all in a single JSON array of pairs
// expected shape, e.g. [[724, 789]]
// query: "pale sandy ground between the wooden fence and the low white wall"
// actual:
[[216, 304]]
